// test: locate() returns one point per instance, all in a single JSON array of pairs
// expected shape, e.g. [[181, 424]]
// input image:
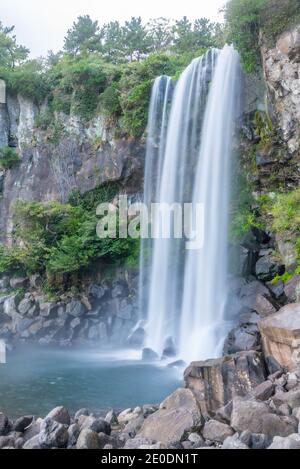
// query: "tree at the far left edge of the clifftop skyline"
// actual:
[[11, 54]]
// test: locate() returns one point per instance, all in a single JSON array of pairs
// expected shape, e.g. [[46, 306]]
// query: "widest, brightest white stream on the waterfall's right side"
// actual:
[[202, 328]]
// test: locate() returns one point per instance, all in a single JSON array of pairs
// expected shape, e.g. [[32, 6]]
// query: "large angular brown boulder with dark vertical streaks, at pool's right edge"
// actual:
[[216, 382]]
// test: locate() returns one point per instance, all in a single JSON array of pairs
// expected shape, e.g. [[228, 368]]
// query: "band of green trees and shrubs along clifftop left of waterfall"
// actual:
[[109, 67]]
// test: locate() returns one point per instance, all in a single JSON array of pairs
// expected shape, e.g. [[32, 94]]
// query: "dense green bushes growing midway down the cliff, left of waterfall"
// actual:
[[60, 241]]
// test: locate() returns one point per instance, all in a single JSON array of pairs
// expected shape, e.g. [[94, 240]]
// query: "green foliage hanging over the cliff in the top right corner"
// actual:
[[246, 19]]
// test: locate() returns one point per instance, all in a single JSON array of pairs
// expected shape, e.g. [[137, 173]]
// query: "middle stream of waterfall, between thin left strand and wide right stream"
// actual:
[[180, 155]]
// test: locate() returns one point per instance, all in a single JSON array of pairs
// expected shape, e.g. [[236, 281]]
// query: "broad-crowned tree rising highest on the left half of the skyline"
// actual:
[[83, 36]]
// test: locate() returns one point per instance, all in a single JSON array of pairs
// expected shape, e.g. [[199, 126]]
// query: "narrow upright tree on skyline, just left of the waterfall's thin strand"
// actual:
[[136, 41]]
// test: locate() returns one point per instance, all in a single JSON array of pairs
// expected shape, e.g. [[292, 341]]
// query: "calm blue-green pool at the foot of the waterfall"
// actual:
[[36, 380]]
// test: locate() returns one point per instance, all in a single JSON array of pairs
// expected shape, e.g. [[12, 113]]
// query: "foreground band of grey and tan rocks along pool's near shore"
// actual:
[[266, 418]]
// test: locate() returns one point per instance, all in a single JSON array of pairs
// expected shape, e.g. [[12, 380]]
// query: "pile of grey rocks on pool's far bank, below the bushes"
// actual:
[[103, 313]]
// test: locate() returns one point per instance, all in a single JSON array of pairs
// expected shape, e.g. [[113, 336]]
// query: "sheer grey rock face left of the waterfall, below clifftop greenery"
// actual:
[[84, 156]]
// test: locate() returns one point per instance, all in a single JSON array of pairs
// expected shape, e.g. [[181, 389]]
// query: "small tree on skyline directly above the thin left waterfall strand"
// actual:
[[160, 33]]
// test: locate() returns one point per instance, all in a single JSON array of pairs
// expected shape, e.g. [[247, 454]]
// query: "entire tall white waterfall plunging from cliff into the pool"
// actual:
[[185, 291]]
